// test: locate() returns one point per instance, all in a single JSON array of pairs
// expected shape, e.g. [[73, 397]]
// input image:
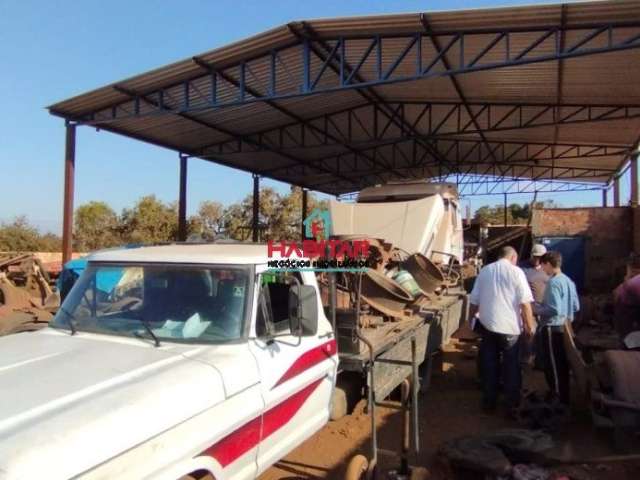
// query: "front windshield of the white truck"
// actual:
[[179, 303]]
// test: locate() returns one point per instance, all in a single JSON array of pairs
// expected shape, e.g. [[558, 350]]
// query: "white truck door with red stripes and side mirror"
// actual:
[[298, 373]]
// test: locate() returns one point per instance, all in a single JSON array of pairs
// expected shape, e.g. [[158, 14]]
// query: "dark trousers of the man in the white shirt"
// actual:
[[500, 354]]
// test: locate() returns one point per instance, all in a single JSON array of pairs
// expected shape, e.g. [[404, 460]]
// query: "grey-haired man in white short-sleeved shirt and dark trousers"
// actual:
[[502, 299]]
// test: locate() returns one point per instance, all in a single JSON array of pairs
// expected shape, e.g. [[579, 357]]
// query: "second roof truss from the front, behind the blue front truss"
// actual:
[[428, 119]]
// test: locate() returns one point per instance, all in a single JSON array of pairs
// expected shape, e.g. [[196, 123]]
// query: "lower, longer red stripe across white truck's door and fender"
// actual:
[[240, 441]]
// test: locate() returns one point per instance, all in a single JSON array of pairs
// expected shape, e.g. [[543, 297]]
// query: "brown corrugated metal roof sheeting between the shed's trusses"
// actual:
[[344, 162]]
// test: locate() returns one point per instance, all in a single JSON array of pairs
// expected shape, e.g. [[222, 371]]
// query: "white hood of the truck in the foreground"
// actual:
[[68, 403]]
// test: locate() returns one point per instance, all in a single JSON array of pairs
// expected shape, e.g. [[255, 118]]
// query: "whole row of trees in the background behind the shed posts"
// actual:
[[97, 225]]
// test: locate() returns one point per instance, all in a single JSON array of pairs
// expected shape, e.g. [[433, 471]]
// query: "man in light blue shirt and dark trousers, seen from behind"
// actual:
[[559, 305]]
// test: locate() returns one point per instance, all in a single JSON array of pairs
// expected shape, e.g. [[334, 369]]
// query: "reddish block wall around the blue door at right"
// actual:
[[610, 238]]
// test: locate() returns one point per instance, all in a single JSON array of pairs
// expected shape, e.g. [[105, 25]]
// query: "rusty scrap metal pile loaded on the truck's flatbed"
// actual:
[[397, 284]]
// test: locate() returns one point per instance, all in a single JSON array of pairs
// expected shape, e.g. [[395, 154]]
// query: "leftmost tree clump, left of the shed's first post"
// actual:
[[21, 236]]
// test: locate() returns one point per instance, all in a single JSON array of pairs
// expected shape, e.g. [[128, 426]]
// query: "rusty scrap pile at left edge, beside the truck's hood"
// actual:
[[27, 300]]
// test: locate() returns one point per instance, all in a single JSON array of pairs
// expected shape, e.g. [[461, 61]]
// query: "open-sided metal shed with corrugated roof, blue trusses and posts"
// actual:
[[537, 98]]
